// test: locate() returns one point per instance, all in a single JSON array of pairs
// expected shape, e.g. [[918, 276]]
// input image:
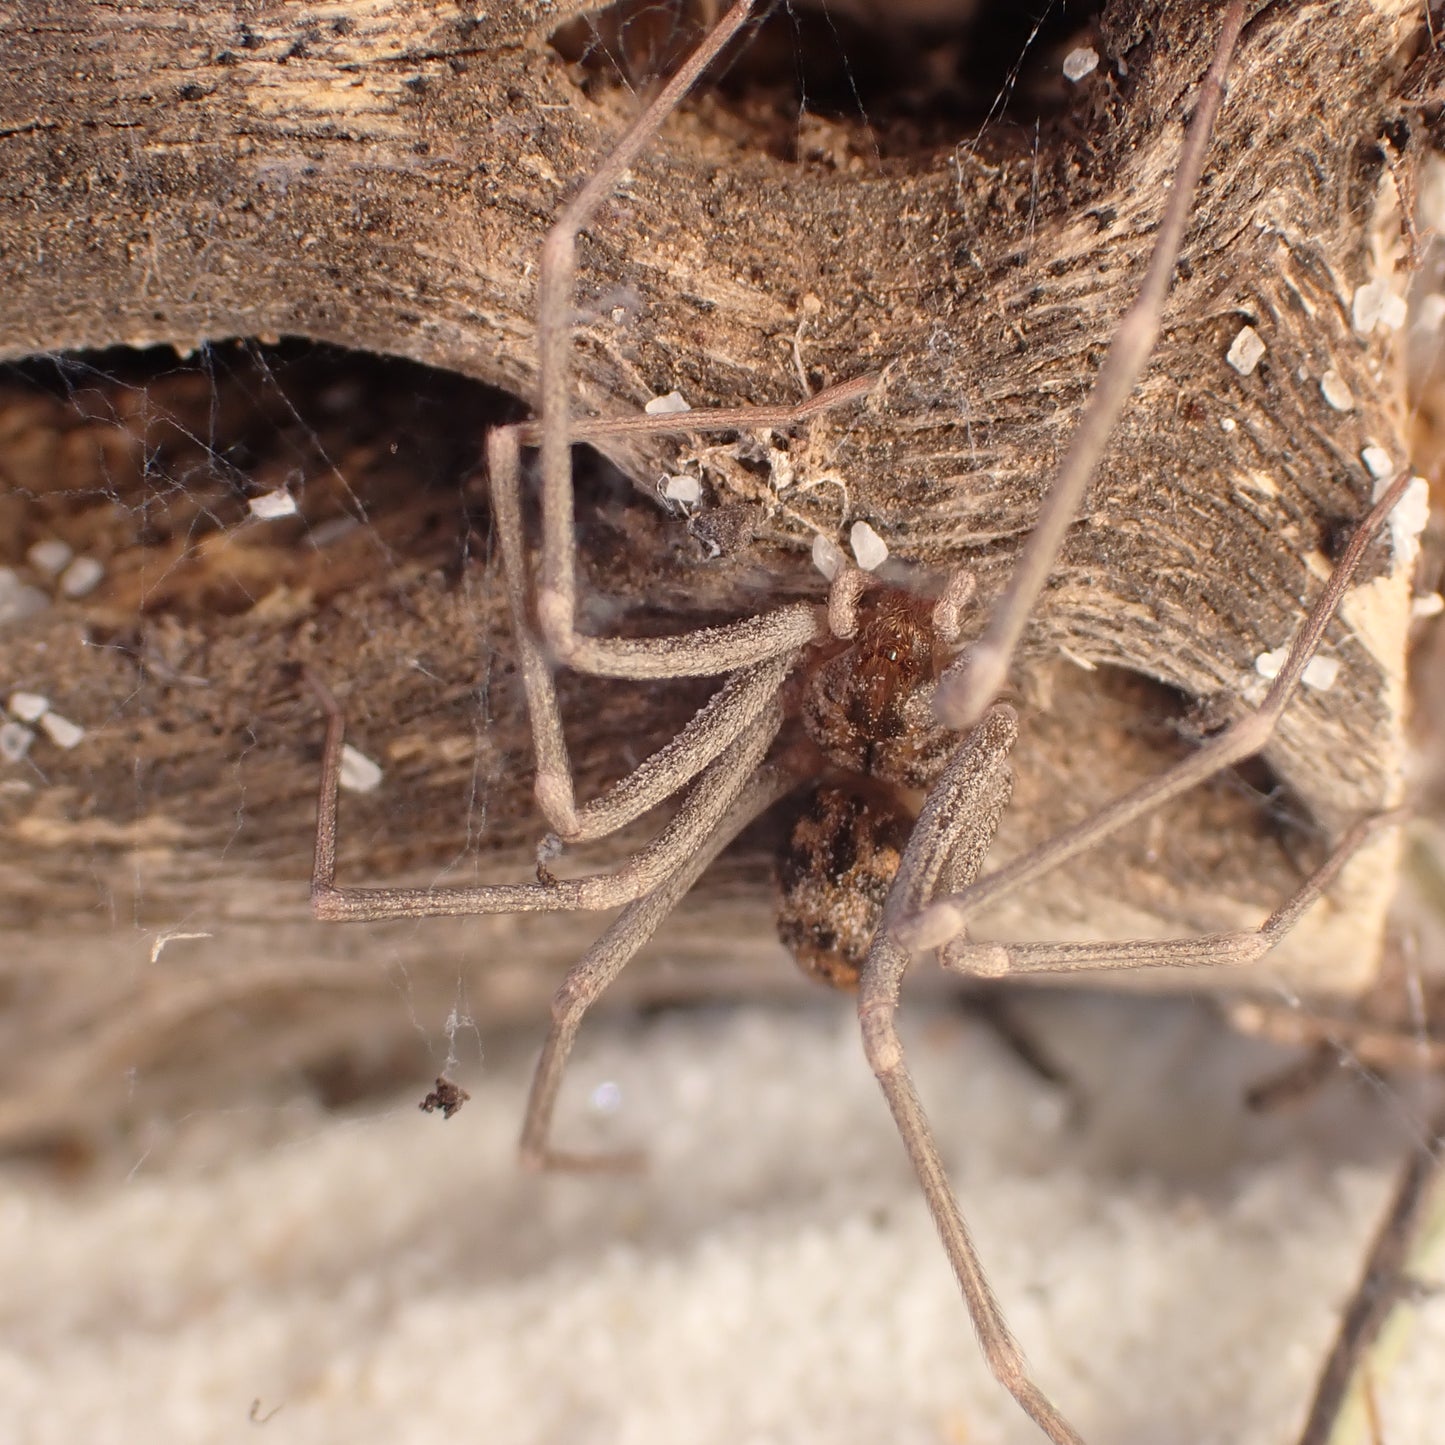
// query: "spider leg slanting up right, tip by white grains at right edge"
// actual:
[[946, 918]]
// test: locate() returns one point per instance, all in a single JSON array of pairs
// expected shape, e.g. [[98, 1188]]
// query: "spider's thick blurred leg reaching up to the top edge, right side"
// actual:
[[969, 694]]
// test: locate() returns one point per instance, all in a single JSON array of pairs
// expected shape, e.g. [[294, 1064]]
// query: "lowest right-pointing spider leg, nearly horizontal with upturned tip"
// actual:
[[1236, 950]]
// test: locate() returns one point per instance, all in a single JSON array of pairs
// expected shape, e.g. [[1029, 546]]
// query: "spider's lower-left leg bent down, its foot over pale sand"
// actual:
[[587, 980]]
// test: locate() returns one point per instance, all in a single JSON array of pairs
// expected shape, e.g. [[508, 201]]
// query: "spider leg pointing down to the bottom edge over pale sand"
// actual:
[[953, 836]]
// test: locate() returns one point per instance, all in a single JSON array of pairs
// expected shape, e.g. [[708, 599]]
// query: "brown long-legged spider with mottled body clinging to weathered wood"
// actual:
[[868, 689]]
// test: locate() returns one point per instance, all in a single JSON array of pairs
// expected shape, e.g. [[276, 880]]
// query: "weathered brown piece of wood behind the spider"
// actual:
[[382, 178]]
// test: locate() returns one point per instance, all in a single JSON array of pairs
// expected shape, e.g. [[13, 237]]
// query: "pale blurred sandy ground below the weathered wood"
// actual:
[[1171, 1264]]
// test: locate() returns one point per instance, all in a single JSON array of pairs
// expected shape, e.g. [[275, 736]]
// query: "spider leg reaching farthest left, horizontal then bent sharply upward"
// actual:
[[703, 810]]
